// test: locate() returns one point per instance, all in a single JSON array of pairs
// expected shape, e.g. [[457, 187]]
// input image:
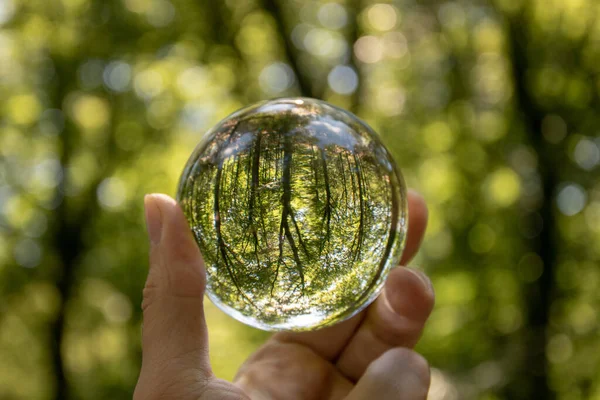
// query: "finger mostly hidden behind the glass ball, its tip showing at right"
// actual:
[[330, 341]]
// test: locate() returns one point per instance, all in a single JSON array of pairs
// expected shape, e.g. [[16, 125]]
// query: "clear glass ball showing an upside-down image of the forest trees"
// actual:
[[299, 212]]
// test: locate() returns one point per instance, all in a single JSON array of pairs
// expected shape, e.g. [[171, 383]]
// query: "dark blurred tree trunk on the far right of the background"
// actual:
[[539, 293]]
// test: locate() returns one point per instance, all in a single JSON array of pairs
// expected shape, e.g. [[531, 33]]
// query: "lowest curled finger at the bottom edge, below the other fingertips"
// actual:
[[399, 374]]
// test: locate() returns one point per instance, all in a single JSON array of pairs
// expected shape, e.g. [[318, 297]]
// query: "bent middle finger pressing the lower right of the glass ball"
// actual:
[[396, 319]]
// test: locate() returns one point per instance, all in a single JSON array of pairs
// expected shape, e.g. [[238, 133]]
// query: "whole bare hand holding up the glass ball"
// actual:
[[366, 357]]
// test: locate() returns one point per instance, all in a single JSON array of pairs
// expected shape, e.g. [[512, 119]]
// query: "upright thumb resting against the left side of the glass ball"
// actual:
[[174, 334]]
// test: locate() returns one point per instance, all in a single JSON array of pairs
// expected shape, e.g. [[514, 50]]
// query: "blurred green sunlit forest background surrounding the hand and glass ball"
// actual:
[[491, 108]]
